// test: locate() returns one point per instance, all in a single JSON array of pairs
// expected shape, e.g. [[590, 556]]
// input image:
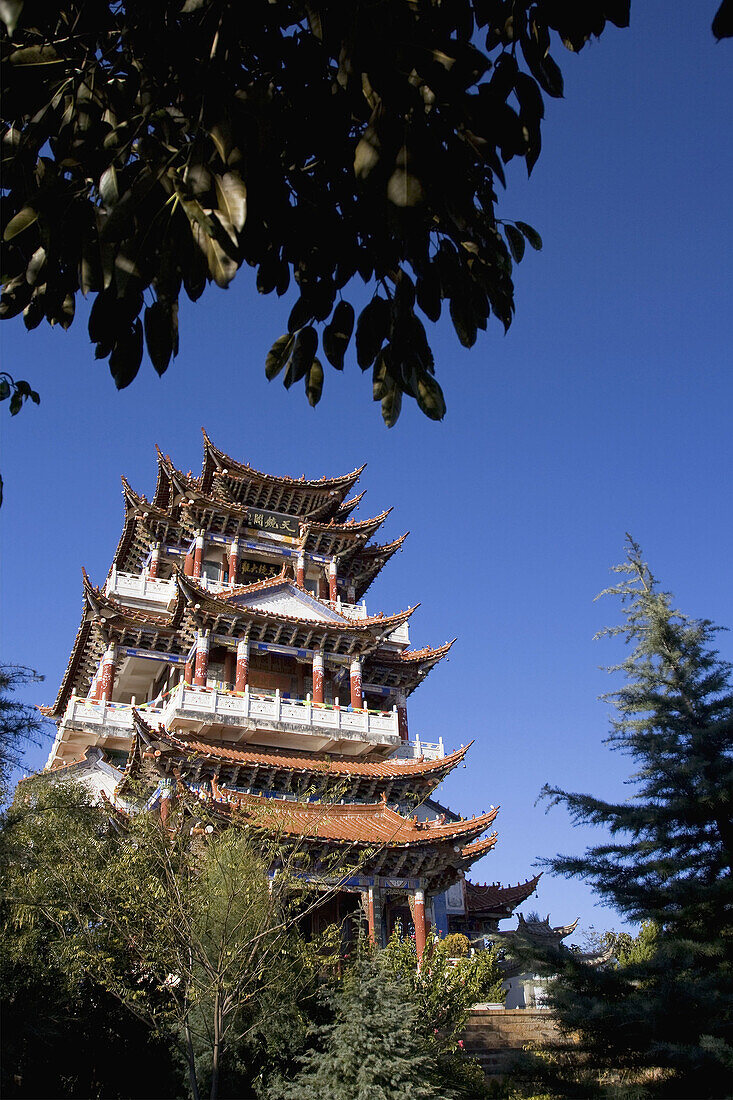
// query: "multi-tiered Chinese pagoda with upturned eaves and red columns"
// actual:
[[232, 651]]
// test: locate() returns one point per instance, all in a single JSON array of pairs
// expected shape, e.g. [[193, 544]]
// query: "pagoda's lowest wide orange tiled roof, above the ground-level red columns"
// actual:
[[353, 823]]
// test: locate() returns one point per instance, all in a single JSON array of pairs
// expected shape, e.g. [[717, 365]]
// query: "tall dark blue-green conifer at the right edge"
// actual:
[[665, 1019]]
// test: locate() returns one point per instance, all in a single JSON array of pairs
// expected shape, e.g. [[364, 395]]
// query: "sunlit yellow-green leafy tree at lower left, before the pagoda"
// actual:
[[181, 926]]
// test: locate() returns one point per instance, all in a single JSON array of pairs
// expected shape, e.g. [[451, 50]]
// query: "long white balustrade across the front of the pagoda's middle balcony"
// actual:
[[249, 709]]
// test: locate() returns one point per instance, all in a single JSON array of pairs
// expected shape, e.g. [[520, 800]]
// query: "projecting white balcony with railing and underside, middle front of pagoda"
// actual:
[[277, 721]]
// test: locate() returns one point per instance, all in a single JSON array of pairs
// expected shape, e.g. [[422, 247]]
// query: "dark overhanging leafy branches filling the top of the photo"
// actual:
[[159, 146]]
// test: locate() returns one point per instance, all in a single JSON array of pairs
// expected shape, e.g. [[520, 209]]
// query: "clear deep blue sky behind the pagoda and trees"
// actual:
[[607, 409]]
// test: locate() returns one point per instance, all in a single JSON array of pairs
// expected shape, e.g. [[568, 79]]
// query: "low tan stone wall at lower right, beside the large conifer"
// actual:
[[496, 1037]]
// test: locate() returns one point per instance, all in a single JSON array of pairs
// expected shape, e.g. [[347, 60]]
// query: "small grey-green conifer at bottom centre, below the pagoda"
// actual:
[[373, 1051]]
